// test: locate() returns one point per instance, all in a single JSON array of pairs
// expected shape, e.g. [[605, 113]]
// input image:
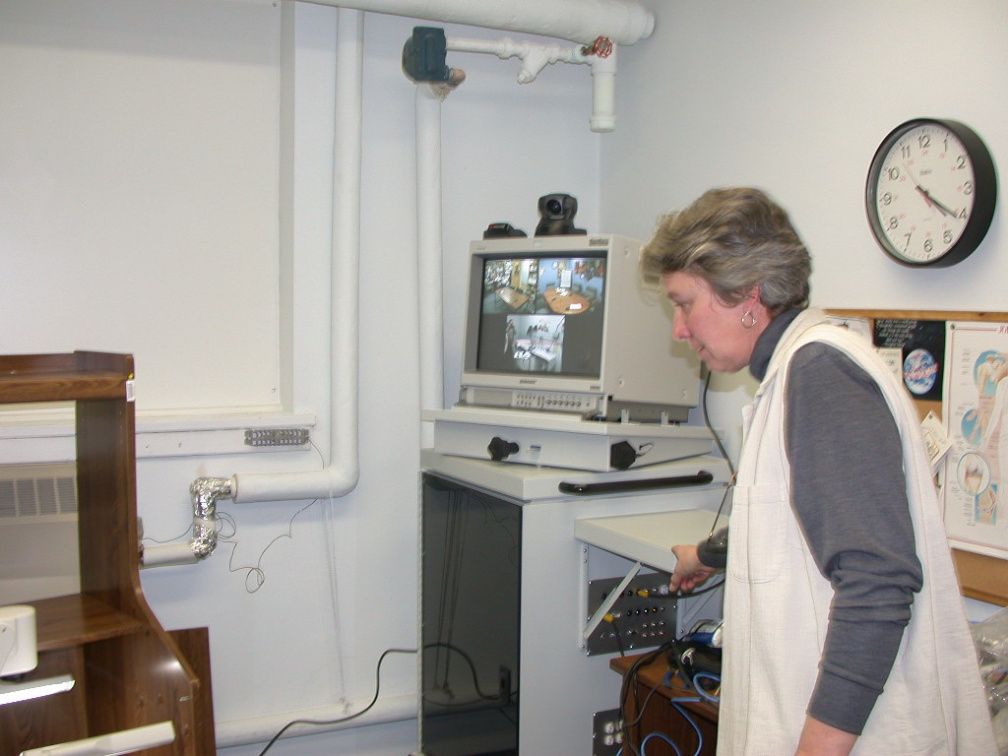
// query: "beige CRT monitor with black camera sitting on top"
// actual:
[[564, 324]]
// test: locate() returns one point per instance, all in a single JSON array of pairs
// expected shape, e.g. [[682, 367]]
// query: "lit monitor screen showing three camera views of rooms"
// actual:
[[543, 315]]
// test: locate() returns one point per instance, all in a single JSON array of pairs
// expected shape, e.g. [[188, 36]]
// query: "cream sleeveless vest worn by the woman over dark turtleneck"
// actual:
[[778, 603]]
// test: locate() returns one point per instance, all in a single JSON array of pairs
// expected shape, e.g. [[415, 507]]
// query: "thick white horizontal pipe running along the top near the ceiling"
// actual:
[[623, 22]]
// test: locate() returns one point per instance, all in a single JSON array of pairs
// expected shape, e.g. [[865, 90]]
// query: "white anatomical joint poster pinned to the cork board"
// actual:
[[975, 410]]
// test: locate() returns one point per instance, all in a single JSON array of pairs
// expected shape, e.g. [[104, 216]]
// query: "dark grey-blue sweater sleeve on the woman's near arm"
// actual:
[[849, 494]]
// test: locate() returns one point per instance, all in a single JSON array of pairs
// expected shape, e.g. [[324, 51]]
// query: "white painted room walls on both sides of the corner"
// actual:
[[788, 95]]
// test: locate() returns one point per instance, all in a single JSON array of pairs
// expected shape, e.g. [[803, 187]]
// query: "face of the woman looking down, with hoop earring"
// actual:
[[712, 329]]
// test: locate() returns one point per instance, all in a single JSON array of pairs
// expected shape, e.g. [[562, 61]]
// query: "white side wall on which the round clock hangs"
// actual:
[[795, 97]]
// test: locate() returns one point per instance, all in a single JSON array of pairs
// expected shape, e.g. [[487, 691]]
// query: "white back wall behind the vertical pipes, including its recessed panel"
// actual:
[[143, 148]]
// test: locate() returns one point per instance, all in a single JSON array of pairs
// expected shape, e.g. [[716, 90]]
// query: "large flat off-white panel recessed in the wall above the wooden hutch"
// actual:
[[139, 187]]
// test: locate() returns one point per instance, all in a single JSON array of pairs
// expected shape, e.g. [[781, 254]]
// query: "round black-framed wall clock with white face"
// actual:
[[931, 193]]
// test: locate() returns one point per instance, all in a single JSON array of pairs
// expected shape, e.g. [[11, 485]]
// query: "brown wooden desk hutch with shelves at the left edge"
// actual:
[[130, 672]]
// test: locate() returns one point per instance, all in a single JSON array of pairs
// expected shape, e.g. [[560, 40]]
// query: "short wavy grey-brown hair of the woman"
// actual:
[[735, 239]]
